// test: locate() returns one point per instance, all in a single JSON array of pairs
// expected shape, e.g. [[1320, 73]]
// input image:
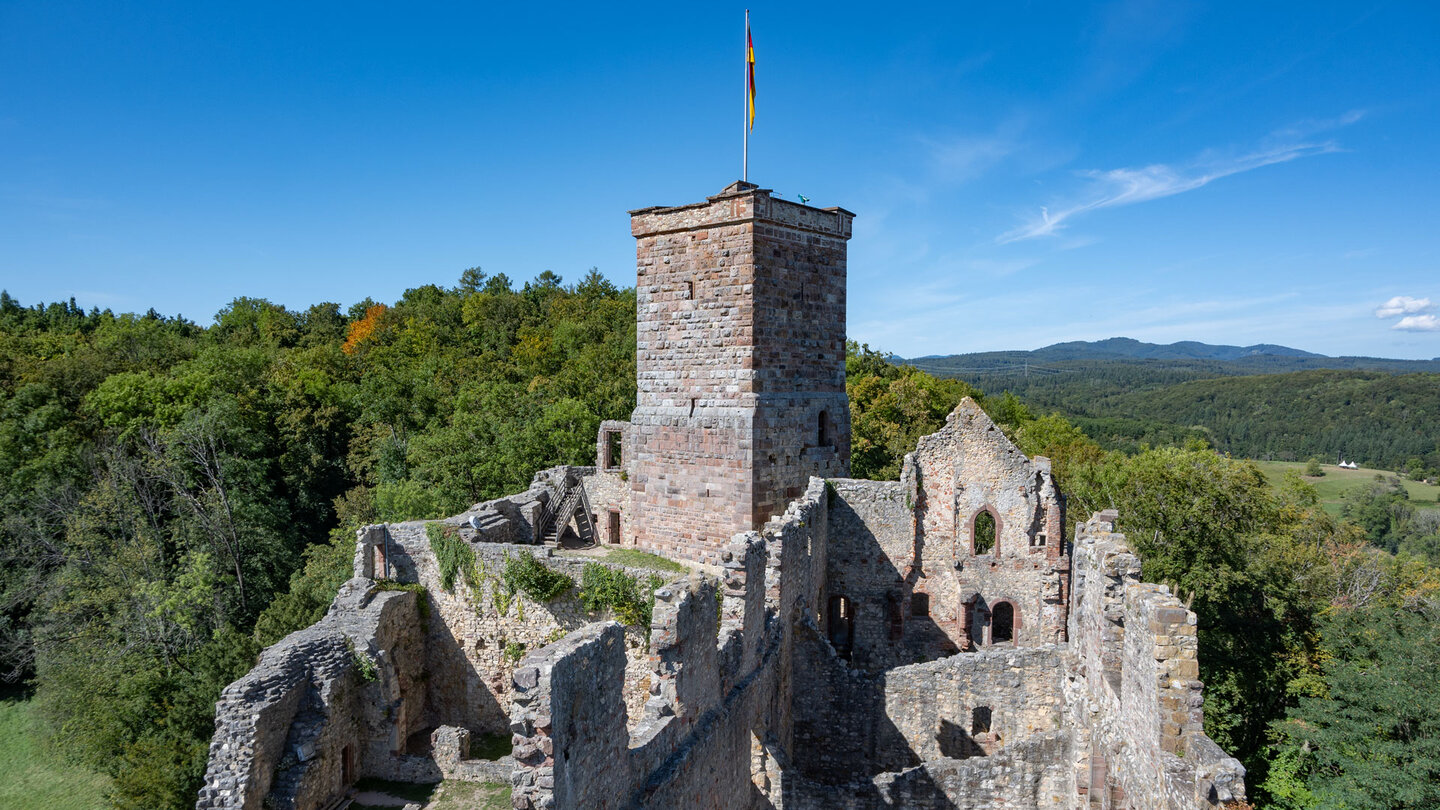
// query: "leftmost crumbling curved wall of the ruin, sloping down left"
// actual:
[[307, 717]]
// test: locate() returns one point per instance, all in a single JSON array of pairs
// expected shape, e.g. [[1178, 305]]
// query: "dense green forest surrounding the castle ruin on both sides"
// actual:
[[178, 497]]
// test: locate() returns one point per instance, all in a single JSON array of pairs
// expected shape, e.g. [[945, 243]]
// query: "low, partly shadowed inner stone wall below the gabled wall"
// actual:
[[876, 729]]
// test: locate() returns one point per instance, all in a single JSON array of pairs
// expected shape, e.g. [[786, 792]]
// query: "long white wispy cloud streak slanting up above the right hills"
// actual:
[[1128, 187]]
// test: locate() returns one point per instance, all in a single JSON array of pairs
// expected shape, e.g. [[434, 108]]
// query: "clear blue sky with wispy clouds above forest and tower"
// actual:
[[1023, 174]]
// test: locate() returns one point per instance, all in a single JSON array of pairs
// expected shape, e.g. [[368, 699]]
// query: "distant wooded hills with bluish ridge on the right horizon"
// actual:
[[1290, 404]]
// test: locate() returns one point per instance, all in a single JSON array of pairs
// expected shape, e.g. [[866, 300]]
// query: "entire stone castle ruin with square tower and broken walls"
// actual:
[[934, 642]]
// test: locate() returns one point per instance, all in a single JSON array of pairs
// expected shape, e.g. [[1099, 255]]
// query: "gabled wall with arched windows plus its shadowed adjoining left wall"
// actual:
[[904, 563]]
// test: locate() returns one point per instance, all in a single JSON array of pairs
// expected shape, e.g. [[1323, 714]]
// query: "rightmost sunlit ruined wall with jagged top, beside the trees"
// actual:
[[1135, 700]]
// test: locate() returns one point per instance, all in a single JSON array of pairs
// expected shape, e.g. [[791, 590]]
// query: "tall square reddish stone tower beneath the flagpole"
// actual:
[[741, 365]]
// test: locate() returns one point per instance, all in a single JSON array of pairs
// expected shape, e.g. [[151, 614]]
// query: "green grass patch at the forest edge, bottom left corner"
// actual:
[[35, 780]]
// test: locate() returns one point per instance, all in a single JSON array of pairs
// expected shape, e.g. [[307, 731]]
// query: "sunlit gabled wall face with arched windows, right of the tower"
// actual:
[[966, 469]]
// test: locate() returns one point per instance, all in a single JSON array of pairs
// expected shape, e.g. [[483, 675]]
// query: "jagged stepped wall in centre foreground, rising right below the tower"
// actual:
[[719, 687]]
